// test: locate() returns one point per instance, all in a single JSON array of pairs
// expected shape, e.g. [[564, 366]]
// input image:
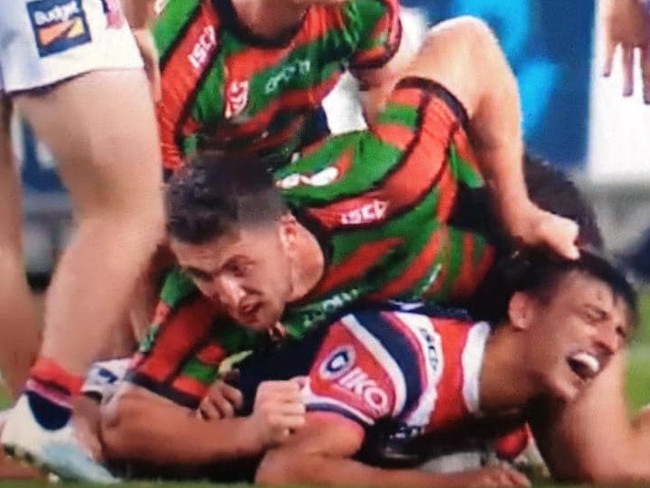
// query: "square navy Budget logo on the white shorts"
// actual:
[[58, 25]]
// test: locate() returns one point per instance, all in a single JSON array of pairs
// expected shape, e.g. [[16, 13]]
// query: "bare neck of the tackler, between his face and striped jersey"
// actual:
[[308, 264]]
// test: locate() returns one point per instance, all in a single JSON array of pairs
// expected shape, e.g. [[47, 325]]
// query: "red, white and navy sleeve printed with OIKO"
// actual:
[[365, 370]]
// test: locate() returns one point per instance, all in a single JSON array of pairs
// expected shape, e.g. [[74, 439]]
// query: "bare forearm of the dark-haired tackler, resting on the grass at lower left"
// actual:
[[158, 433]]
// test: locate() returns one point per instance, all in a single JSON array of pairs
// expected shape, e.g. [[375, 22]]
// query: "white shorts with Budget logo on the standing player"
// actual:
[[43, 42]]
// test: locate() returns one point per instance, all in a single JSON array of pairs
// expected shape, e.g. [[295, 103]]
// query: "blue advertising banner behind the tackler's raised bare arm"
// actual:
[[549, 45]]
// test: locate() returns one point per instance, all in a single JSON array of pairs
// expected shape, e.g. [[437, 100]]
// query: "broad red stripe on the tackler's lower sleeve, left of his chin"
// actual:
[[176, 339]]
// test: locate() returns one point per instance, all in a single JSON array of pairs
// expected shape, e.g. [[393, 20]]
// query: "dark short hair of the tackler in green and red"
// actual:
[[218, 192]]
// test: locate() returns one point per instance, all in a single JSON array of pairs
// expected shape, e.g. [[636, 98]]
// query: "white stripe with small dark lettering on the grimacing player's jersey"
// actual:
[[427, 338]]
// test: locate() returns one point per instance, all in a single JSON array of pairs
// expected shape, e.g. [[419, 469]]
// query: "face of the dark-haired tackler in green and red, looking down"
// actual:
[[247, 272]]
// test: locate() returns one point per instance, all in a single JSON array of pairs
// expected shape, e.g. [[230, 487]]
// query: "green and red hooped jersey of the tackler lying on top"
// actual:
[[378, 202]]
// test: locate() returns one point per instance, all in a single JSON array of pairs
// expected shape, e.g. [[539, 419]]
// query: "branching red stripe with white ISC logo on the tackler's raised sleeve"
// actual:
[[425, 165]]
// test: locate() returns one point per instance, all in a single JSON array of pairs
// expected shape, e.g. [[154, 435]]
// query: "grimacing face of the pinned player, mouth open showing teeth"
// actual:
[[573, 333]]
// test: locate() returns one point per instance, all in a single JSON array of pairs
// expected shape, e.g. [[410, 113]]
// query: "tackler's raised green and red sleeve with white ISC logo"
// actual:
[[417, 149]]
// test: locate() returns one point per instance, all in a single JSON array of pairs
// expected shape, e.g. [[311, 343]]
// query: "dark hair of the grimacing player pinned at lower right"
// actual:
[[539, 273]]
